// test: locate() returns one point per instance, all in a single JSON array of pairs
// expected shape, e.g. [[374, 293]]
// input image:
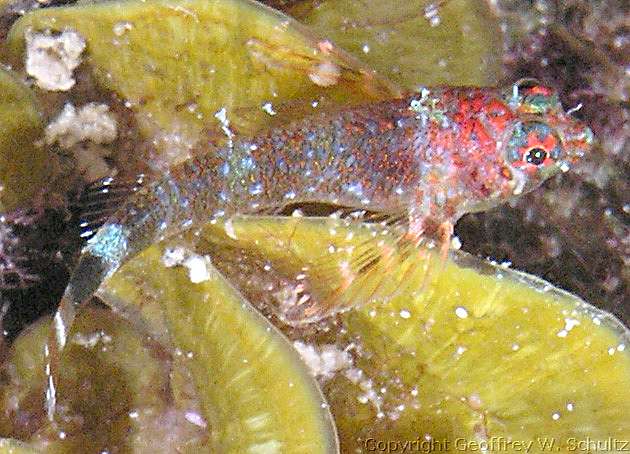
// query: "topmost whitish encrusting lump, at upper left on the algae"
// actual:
[[51, 59]]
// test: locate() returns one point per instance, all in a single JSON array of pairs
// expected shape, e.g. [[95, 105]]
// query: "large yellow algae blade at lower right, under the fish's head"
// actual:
[[474, 352]]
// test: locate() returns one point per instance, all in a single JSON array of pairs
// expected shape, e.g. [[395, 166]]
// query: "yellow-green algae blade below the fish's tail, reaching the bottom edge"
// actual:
[[255, 393]]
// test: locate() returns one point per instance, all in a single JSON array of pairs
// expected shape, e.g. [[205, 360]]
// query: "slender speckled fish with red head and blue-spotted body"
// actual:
[[429, 157]]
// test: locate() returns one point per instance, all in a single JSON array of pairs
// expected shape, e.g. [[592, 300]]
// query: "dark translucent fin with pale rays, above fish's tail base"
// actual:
[[102, 198]]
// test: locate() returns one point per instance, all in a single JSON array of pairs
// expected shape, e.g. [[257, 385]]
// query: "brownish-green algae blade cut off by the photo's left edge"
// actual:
[[22, 162]]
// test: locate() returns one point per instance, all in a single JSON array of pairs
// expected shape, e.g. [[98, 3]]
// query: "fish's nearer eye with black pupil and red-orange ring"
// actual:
[[533, 145]]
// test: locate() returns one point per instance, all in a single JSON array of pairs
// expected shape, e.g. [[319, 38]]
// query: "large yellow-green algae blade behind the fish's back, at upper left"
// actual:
[[177, 63]]
